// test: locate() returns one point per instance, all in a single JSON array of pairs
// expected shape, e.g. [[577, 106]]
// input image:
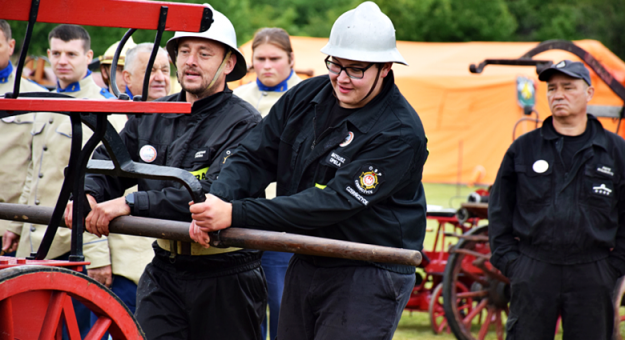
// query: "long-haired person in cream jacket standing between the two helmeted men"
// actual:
[[272, 60]]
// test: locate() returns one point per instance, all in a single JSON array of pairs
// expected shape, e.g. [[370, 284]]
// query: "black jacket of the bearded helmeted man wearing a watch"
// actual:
[[198, 142]]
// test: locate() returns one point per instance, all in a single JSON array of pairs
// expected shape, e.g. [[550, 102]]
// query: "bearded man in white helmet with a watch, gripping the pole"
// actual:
[[187, 291]]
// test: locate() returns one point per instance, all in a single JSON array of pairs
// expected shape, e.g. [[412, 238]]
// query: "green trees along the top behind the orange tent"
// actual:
[[415, 20]]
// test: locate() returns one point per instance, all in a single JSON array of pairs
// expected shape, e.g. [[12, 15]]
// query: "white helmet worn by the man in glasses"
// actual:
[[364, 34]]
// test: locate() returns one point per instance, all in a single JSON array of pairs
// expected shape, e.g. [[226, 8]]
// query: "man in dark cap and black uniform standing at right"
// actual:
[[556, 215]]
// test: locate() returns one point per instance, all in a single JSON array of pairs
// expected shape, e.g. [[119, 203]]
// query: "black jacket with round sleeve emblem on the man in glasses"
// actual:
[[359, 180]]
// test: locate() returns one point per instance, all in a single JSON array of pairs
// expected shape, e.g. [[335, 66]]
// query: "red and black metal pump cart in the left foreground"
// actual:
[[36, 294]]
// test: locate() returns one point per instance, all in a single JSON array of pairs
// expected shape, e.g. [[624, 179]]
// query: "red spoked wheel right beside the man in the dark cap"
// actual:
[[485, 306]]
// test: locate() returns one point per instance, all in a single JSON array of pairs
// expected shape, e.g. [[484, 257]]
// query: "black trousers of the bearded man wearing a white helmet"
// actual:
[[202, 297]]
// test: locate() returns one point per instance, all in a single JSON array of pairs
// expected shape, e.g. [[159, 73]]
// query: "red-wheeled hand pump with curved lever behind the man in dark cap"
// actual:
[[472, 314]]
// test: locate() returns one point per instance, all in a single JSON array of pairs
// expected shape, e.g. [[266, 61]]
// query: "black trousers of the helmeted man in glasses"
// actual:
[[353, 302]]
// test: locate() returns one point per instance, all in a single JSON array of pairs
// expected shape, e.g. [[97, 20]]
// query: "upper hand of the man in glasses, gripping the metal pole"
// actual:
[[212, 214]]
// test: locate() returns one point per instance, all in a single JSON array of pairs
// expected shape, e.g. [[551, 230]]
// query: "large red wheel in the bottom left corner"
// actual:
[[36, 301]]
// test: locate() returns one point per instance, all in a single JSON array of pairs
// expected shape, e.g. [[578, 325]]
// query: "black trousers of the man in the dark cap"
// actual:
[[581, 294]]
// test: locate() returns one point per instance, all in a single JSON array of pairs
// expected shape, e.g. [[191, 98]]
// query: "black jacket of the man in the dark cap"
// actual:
[[539, 209]]
